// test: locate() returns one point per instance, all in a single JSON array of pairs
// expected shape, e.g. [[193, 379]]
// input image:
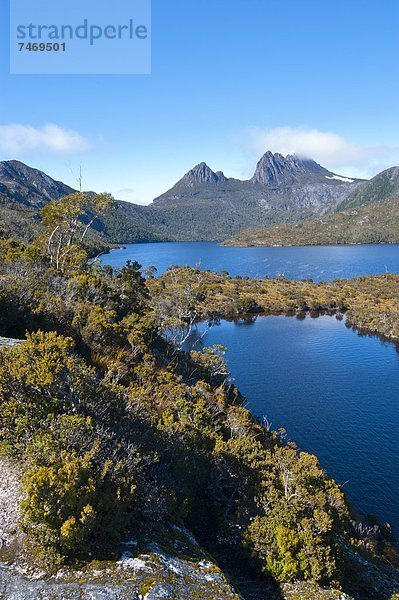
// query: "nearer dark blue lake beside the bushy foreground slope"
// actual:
[[335, 392]]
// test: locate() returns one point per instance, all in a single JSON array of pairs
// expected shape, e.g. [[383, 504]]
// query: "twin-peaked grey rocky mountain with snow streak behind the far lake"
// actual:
[[207, 205]]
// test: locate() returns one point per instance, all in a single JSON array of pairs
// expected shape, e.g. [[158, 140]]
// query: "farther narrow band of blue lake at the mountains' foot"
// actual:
[[320, 263]]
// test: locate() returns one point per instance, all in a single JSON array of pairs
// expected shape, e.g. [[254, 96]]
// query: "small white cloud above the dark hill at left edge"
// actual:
[[17, 139]]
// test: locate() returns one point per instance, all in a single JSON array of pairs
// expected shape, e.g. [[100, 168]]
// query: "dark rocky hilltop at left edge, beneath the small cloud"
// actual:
[[25, 185]]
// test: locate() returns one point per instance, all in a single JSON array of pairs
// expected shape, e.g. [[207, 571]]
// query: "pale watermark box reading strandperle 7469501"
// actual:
[[80, 37]]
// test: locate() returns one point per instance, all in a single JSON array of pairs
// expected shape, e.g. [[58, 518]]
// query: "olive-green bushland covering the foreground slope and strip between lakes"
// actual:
[[118, 429]]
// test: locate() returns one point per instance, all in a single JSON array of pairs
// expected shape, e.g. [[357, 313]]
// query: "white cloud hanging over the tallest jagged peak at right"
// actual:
[[327, 148]]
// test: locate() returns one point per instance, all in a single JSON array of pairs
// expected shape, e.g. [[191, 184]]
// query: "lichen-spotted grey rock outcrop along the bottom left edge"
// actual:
[[172, 567]]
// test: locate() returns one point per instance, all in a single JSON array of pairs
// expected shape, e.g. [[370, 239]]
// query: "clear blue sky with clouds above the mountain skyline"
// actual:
[[230, 79]]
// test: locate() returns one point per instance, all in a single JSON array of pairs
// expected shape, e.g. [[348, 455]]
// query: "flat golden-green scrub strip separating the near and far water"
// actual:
[[370, 303]]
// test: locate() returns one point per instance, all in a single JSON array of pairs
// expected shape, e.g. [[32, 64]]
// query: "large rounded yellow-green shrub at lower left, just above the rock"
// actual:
[[76, 498]]
